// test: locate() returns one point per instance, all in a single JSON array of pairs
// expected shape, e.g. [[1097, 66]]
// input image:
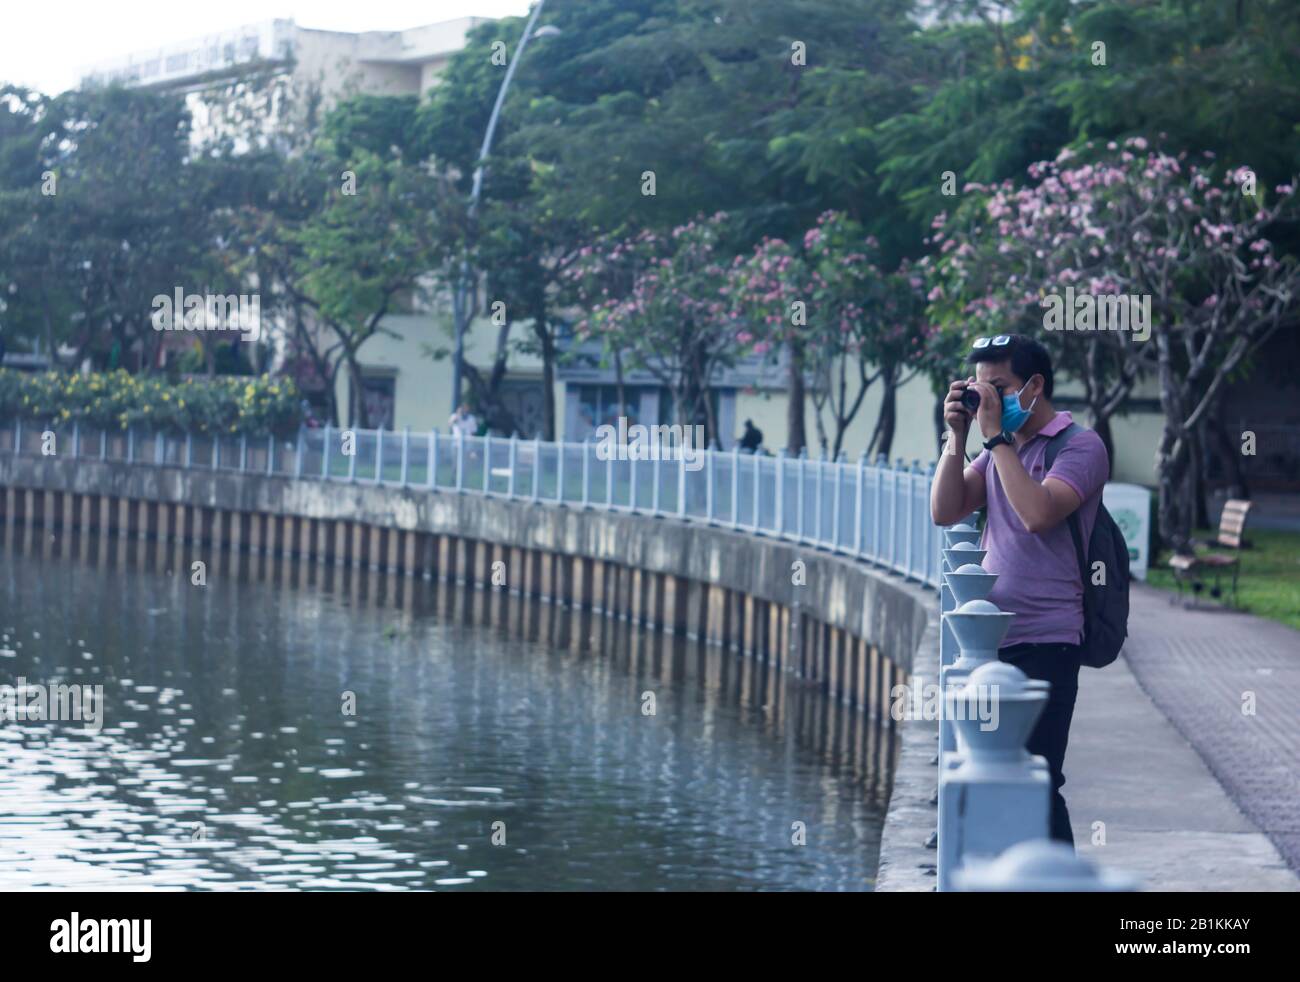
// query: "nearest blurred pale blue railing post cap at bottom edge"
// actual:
[[1042, 866]]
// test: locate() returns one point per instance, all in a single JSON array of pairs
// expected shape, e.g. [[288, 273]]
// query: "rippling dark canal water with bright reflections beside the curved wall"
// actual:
[[305, 728]]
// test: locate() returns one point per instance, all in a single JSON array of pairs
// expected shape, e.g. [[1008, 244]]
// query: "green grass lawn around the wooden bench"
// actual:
[[1269, 581]]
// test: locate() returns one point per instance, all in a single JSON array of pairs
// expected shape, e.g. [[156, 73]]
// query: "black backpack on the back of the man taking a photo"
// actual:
[[1106, 607]]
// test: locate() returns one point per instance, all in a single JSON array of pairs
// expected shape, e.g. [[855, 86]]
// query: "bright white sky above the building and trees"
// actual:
[[46, 47]]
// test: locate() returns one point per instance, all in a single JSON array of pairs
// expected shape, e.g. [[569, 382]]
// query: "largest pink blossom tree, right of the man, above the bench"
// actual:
[[1125, 222]]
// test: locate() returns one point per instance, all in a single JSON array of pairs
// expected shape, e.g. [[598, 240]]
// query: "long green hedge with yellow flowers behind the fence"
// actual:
[[253, 405]]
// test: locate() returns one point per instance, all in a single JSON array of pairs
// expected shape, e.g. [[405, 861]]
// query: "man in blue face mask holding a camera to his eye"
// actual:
[[1026, 530]]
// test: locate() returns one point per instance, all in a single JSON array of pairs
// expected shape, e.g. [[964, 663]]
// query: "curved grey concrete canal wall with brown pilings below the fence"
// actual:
[[835, 622]]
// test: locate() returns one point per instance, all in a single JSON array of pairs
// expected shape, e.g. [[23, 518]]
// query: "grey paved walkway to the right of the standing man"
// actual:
[[1193, 793]]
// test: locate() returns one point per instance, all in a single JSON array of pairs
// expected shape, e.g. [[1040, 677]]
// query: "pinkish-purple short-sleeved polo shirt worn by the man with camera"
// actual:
[[1039, 574]]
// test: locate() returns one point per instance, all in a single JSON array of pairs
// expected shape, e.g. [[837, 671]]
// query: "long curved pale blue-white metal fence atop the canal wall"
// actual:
[[878, 513]]
